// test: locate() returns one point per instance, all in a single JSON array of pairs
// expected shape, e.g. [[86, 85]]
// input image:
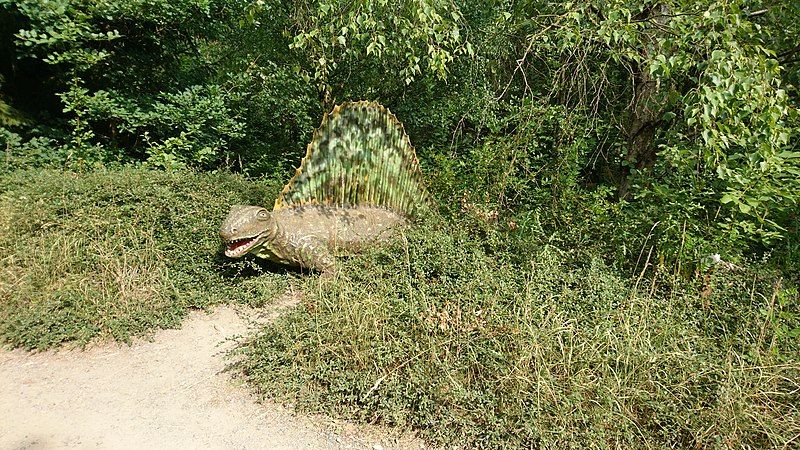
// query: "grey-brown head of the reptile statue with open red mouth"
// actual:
[[246, 229]]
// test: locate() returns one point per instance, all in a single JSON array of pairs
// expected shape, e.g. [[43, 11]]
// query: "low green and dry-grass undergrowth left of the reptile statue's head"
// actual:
[[118, 253]]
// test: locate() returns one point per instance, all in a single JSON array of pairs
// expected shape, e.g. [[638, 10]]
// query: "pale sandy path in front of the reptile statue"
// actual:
[[169, 392]]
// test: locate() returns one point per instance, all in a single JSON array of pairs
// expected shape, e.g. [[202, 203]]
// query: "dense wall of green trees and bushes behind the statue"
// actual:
[[642, 99]]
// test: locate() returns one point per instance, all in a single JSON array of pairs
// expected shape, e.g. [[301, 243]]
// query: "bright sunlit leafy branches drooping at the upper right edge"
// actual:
[[744, 118]]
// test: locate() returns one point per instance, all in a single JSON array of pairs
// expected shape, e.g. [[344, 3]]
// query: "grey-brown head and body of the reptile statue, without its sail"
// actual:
[[307, 236]]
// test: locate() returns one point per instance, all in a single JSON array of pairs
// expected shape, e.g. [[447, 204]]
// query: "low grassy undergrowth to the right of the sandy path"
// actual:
[[475, 351]]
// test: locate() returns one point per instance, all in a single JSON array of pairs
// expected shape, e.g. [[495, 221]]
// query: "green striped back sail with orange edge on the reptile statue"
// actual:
[[360, 155]]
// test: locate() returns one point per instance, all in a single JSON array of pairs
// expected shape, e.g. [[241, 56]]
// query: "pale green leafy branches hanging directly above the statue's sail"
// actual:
[[401, 38]]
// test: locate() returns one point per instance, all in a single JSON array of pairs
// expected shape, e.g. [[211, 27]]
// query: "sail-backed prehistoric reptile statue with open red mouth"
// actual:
[[359, 179]]
